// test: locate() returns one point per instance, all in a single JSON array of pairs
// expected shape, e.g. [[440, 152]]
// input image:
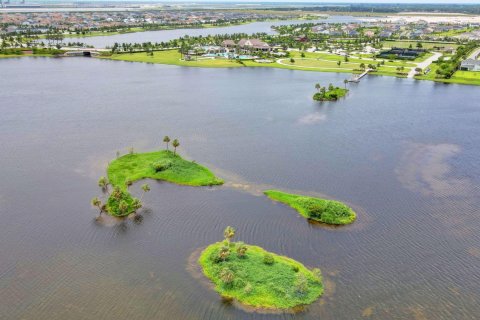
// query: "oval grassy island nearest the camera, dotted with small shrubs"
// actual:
[[257, 278]]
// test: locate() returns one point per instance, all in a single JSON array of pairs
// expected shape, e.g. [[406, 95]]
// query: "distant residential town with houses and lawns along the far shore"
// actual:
[[433, 46]]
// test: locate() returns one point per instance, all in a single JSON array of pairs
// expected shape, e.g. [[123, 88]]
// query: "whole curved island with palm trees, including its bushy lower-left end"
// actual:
[[163, 165]]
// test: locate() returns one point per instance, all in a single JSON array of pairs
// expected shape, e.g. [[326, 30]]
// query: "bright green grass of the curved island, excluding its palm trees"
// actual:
[[159, 165]]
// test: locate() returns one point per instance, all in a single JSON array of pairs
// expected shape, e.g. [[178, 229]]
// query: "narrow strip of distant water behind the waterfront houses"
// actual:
[[166, 35]]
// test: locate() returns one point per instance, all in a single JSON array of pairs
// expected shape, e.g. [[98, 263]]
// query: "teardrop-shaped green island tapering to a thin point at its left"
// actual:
[[322, 210]]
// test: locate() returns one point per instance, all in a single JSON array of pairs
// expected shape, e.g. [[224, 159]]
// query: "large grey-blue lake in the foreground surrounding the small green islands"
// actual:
[[403, 153]]
